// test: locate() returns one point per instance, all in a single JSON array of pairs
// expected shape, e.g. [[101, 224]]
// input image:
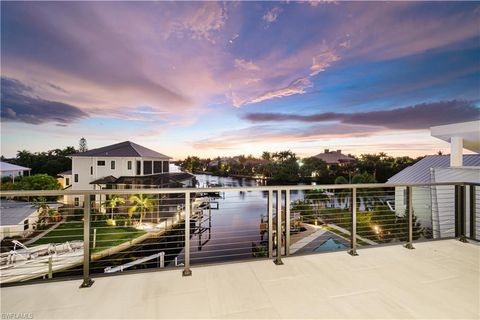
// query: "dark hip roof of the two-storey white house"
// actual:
[[122, 149]]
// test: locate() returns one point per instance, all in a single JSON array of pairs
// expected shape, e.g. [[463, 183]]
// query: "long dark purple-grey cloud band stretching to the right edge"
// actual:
[[420, 116]]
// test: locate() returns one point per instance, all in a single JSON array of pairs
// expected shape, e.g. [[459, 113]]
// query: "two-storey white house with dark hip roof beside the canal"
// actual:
[[121, 165]]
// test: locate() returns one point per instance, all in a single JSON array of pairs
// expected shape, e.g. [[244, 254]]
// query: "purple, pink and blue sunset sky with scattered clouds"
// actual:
[[228, 78]]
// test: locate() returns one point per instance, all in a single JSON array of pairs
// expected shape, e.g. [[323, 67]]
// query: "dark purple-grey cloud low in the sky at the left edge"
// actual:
[[20, 104]]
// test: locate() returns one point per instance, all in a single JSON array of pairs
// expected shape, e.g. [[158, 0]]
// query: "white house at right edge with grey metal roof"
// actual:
[[434, 206]]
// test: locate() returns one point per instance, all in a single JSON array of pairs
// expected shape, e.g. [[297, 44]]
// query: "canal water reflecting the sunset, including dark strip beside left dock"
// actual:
[[233, 229]]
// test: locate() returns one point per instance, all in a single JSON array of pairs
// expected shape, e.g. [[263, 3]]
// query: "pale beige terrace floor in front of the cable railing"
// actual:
[[439, 279]]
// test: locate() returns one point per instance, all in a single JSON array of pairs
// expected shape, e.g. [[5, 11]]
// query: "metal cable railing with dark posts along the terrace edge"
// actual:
[[64, 234]]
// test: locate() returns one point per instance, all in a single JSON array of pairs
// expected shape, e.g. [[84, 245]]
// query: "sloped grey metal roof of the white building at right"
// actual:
[[420, 171]]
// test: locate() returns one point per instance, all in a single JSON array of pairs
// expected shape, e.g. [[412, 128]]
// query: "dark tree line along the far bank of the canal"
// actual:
[[286, 167]]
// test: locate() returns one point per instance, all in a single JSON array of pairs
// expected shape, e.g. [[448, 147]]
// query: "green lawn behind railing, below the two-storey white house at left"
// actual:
[[107, 236]]
